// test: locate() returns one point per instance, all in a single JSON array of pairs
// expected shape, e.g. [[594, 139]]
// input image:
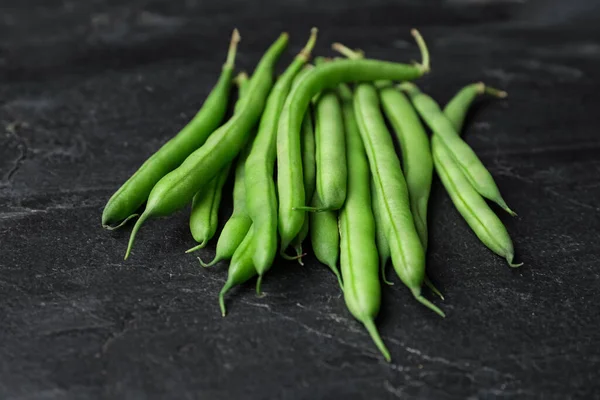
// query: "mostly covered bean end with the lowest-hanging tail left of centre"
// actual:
[[241, 269]]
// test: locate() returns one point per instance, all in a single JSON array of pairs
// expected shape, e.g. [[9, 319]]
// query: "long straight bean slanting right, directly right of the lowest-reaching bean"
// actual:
[[408, 256]]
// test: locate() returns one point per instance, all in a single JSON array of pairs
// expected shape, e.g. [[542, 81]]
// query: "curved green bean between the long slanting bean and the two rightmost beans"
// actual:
[[417, 163]]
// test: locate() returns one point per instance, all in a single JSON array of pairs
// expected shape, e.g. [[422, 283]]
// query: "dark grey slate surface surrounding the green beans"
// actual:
[[89, 89]]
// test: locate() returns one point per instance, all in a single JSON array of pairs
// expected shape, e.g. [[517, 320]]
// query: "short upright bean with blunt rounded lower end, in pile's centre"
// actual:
[[330, 151]]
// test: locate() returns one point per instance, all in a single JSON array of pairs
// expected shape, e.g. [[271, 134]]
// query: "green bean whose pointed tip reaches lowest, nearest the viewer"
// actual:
[[358, 259]]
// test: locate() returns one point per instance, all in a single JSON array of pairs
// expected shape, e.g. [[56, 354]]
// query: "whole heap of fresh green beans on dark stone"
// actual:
[[314, 161]]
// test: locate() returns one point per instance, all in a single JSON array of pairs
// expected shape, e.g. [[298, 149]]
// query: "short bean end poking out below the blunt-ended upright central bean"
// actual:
[[325, 237]]
